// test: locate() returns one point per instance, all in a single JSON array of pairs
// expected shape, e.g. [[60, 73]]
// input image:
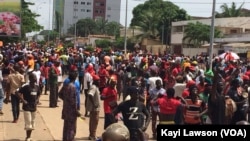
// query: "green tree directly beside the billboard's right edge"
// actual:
[[29, 23]]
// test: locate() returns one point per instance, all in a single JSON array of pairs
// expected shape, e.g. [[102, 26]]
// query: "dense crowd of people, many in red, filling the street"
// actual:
[[176, 89]]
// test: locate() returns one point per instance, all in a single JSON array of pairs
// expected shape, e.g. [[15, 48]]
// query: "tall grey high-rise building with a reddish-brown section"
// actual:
[[74, 10]]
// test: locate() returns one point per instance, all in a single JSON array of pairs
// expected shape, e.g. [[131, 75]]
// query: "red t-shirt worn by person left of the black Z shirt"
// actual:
[[107, 92]]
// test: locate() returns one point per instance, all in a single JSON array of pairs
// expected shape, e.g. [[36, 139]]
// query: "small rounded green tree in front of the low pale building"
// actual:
[[198, 33]]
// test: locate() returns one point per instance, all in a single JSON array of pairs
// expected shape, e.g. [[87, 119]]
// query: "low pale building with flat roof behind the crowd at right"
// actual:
[[235, 29]]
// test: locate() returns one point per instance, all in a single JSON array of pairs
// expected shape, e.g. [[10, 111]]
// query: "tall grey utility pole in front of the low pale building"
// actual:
[[212, 36]]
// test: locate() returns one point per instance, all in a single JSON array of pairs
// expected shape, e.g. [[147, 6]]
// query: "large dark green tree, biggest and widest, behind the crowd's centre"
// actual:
[[154, 18]]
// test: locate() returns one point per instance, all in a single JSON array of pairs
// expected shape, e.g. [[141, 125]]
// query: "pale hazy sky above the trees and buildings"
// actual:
[[202, 8]]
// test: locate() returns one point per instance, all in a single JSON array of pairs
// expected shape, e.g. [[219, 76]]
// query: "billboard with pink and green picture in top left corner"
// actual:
[[10, 18]]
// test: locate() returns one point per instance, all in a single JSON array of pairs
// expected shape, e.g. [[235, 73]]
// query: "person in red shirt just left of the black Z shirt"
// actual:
[[109, 97]]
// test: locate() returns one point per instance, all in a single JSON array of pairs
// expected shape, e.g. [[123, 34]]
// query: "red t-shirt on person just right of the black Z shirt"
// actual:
[[168, 106]]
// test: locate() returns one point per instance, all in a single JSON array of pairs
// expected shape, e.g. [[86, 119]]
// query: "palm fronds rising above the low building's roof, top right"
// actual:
[[232, 11]]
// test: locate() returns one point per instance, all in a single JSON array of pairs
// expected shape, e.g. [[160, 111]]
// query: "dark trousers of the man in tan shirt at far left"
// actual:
[[15, 104]]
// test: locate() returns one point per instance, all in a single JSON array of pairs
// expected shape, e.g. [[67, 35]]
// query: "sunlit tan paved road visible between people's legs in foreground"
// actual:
[[49, 124]]
